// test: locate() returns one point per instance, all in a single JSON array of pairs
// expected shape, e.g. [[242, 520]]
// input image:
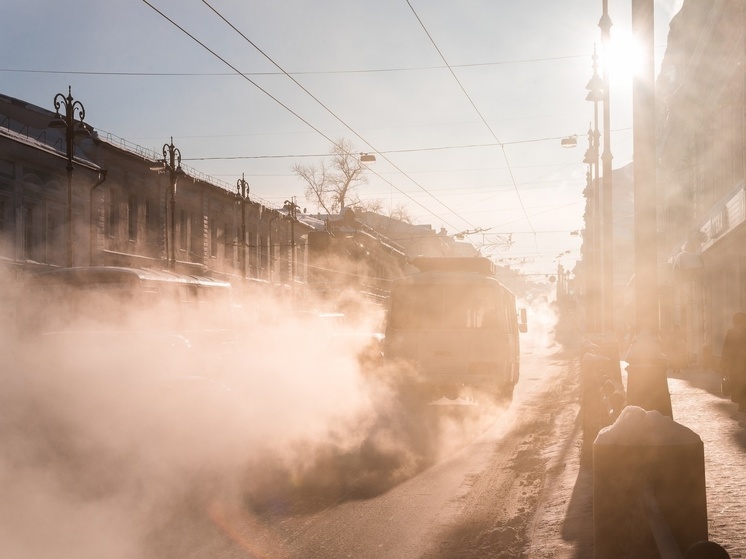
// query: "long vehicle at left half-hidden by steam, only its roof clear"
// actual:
[[110, 308]]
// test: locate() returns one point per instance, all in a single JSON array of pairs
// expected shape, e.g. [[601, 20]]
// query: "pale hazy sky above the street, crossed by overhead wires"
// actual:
[[463, 102]]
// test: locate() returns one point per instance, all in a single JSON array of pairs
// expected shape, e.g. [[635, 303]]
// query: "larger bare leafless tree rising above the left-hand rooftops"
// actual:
[[333, 185]]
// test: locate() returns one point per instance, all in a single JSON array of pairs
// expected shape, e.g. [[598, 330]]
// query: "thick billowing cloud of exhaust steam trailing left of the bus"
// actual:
[[111, 440]]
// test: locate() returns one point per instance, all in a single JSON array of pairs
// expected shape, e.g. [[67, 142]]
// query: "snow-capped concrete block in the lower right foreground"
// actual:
[[646, 451]]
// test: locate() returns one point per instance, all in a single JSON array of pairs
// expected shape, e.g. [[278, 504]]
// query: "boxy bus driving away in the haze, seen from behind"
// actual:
[[453, 327]]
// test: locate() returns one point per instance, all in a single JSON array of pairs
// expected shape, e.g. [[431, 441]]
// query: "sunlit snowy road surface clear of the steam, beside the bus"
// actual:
[[479, 501]]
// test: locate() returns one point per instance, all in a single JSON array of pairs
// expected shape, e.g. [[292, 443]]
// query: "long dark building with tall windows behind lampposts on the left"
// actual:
[[120, 211]]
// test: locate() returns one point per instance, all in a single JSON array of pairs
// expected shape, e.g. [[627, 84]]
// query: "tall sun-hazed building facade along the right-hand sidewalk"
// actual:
[[702, 159]]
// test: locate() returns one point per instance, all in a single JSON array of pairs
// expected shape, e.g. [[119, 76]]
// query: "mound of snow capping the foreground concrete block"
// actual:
[[636, 426]]
